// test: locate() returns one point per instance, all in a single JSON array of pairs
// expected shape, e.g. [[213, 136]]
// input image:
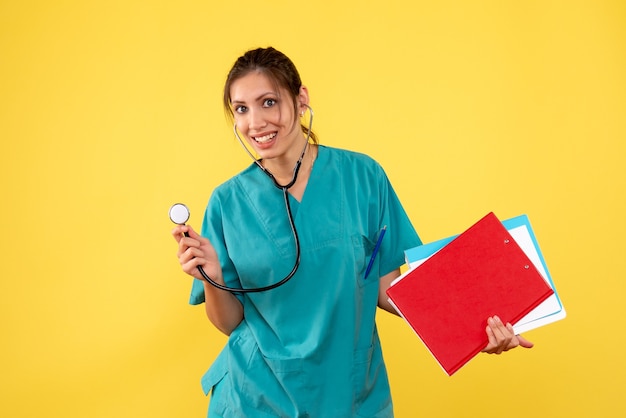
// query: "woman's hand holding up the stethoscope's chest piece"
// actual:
[[194, 250]]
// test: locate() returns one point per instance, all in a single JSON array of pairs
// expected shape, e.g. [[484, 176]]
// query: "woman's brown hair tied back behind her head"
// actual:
[[276, 66]]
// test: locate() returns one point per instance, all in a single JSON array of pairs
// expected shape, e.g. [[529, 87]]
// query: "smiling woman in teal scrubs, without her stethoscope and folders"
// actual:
[[308, 348]]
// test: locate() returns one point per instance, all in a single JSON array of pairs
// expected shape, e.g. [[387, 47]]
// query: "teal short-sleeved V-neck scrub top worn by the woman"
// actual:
[[308, 348]]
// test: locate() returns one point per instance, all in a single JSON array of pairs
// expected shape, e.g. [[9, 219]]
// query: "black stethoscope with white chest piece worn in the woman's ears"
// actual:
[[179, 214]]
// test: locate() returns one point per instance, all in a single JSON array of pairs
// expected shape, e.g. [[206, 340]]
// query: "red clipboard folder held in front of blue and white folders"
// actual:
[[447, 299]]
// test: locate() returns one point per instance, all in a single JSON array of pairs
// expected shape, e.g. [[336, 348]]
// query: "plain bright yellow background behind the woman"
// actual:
[[110, 112]]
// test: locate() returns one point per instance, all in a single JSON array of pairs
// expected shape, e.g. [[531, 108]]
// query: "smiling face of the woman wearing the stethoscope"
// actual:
[[266, 115]]
